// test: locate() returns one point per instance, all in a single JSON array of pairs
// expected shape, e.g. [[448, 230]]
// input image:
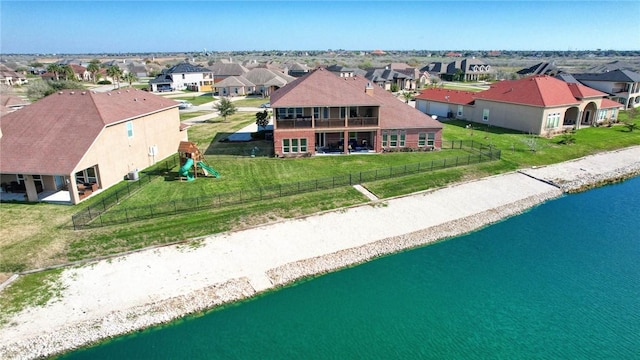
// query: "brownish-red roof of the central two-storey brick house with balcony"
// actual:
[[323, 88]]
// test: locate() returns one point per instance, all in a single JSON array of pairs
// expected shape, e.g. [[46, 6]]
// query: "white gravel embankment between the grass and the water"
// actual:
[[129, 293]]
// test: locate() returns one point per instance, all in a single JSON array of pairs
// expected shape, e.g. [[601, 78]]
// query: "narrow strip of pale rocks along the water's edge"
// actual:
[[152, 314]]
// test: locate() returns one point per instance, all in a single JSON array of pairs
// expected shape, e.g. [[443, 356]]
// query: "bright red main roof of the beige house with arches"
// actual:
[[538, 90]]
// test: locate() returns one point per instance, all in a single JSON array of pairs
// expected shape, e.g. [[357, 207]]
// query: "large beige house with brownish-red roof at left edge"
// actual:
[[76, 142]]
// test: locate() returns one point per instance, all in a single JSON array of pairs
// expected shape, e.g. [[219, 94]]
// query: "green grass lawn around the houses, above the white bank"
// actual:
[[38, 235]]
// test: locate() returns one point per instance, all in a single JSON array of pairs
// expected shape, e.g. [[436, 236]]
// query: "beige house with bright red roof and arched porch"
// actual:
[[538, 105]]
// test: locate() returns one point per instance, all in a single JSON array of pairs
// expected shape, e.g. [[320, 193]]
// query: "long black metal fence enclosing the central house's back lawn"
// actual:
[[97, 216]]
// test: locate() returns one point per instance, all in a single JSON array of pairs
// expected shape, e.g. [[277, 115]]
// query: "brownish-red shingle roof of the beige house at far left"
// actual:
[[50, 136]]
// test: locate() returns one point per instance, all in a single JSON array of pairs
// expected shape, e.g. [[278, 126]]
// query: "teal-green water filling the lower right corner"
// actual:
[[561, 281]]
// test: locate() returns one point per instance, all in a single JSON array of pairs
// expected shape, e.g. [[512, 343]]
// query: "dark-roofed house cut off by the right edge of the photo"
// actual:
[[622, 85]]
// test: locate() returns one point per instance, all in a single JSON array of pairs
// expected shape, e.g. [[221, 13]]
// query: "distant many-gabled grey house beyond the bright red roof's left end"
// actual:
[[470, 69]]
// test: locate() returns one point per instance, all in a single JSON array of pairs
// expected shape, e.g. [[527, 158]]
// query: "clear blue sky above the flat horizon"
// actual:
[[153, 26]]
